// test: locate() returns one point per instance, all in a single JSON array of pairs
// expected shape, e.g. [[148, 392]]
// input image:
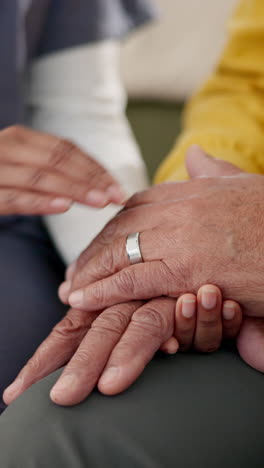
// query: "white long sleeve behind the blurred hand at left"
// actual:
[[78, 94]]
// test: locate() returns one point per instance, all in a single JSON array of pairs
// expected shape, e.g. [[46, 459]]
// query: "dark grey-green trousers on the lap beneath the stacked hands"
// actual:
[[187, 411]]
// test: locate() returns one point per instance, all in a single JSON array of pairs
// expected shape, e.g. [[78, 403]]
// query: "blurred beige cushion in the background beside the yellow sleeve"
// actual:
[[171, 57]]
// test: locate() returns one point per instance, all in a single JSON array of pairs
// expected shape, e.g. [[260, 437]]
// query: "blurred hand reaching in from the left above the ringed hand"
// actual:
[[42, 174]]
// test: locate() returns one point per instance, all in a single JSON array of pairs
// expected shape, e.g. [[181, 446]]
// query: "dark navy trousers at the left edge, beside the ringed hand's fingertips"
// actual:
[[30, 273]]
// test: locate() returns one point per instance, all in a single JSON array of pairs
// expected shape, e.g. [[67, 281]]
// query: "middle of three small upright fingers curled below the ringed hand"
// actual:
[[208, 335]]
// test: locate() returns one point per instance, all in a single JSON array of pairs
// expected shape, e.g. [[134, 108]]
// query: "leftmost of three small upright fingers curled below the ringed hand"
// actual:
[[185, 316]]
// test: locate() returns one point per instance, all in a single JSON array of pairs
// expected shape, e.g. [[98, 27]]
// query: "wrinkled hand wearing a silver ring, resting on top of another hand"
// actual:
[[211, 230]]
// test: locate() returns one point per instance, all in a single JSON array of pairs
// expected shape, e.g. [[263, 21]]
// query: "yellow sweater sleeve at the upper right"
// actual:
[[226, 117]]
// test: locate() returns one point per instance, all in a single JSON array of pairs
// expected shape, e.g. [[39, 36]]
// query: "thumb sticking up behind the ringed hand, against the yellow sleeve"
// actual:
[[198, 164]]
